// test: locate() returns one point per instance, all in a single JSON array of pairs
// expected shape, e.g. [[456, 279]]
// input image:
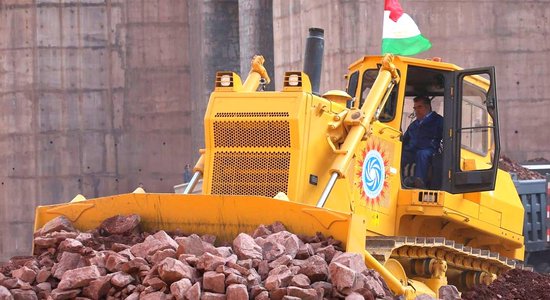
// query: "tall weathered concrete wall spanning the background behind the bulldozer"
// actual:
[[100, 96]]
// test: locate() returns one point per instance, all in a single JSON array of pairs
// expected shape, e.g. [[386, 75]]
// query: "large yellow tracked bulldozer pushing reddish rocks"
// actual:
[[332, 163]]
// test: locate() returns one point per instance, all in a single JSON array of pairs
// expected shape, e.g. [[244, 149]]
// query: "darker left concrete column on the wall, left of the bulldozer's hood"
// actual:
[[214, 46]]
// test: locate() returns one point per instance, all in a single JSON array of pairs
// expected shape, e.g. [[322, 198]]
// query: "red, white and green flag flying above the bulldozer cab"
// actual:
[[400, 34]]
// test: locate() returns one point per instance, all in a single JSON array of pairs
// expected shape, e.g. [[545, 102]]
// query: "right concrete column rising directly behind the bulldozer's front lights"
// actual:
[[256, 35]]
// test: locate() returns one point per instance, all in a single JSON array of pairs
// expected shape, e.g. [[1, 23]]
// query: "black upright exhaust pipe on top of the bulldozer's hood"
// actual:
[[313, 58]]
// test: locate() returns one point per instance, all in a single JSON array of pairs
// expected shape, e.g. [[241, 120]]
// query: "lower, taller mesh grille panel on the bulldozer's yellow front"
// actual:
[[250, 173]]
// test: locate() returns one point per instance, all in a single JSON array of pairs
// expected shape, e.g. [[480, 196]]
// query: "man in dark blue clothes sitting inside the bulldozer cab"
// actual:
[[421, 140]]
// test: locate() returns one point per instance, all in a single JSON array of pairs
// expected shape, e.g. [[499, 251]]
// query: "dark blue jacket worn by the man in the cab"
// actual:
[[425, 134]]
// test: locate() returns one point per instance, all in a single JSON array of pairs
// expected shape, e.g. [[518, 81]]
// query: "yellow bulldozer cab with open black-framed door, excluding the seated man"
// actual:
[[465, 160]]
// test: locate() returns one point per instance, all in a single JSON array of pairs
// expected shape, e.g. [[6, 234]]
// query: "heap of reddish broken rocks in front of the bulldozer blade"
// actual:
[[118, 261]]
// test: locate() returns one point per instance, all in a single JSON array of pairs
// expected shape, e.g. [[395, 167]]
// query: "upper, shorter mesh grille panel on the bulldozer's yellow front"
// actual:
[[251, 134]]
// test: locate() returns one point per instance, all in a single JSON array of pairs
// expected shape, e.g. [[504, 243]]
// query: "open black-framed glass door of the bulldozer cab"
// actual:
[[474, 134]]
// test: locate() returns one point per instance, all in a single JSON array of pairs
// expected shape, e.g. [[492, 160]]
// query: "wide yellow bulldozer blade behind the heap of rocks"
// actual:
[[223, 216]]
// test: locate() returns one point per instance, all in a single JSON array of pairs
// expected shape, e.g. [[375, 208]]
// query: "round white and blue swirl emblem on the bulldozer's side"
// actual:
[[373, 174]]
